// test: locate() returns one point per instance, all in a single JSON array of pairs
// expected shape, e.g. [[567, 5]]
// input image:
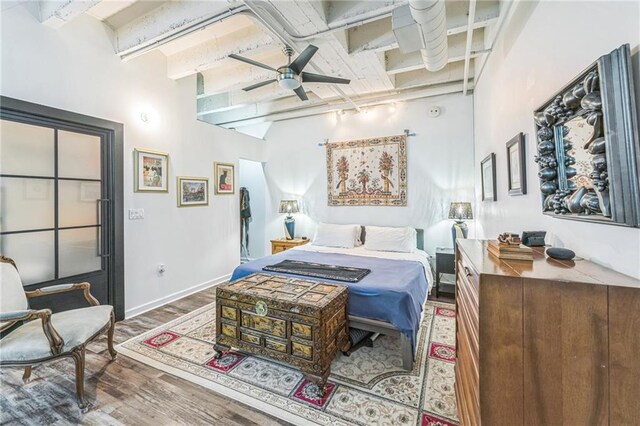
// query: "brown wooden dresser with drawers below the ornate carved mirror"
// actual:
[[545, 342]]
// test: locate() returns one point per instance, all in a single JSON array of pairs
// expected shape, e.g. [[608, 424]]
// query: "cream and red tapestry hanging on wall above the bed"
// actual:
[[367, 172]]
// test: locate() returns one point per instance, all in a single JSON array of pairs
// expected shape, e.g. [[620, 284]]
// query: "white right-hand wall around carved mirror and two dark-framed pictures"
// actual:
[[546, 45]]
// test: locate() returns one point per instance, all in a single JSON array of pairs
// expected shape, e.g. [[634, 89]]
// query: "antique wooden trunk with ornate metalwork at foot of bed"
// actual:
[[301, 322]]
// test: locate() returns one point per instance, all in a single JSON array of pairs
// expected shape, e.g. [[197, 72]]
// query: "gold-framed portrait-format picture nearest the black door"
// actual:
[[151, 171]]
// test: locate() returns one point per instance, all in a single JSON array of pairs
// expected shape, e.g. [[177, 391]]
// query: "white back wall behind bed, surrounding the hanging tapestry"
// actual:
[[440, 166]]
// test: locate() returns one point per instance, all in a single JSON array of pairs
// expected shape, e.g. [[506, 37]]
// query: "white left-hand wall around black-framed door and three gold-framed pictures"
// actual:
[[75, 68]]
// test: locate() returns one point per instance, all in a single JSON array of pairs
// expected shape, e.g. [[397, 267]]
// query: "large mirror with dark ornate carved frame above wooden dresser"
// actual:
[[588, 148]]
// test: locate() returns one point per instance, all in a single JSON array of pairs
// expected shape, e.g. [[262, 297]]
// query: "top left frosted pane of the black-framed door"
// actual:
[[26, 149]]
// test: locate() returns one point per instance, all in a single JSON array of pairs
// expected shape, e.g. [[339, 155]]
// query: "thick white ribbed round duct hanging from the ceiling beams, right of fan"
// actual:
[[432, 19]]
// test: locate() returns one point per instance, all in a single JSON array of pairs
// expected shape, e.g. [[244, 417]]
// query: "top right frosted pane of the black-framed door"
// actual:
[[78, 155]]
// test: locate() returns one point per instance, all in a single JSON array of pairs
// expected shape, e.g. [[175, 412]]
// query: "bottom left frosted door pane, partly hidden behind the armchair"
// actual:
[[33, 253]]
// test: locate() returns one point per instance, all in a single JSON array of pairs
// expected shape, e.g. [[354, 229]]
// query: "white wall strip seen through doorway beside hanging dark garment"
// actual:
[[251, 176]]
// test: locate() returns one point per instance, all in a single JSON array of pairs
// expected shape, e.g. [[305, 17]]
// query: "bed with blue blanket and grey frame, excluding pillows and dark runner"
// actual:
[[388, 301]]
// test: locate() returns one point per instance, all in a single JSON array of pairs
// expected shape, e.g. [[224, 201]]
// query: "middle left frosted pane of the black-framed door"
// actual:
[[26, 204]]
